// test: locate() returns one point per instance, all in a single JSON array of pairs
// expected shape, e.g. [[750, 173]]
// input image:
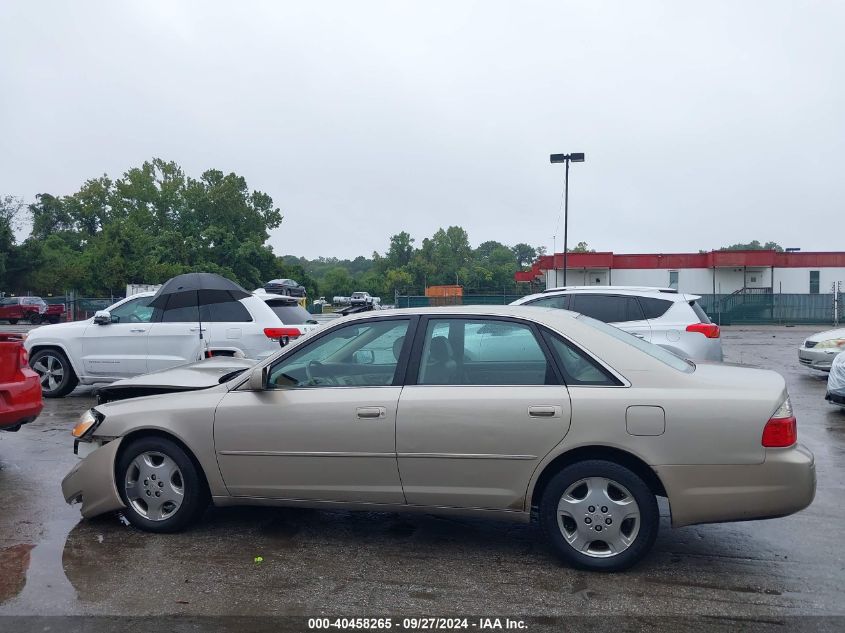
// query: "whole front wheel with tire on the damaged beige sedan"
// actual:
[[162, 488]]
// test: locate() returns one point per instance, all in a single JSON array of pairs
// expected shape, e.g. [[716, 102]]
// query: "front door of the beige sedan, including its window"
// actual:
[[324, 428]]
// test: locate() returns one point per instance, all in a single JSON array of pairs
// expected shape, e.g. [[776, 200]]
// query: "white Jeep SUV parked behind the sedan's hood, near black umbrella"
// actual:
[[131, 338]]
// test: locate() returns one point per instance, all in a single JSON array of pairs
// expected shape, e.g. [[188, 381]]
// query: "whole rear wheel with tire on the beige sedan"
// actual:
[[599, 516]]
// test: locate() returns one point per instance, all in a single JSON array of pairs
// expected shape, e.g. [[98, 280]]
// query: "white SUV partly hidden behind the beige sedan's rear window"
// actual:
[[657, 315]]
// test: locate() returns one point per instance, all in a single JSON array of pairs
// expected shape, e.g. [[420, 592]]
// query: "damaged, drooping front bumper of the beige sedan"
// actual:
[[92, 482]]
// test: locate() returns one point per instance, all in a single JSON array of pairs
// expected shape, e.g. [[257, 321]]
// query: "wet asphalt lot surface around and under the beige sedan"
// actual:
[[342, 563]]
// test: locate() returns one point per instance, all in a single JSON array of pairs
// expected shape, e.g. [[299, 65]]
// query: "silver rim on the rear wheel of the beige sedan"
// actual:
[[598, 517]]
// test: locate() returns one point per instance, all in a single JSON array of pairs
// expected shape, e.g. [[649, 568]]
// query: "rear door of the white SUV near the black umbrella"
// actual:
[[174, 338]]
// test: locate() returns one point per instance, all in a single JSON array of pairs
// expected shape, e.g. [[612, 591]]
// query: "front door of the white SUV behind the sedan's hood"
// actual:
[[118, 349]]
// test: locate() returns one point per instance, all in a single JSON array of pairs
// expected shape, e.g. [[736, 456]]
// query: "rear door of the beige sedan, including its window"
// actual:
[[482, 406]]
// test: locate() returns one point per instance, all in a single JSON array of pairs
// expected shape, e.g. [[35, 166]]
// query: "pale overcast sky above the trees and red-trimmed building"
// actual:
[[704, 123]]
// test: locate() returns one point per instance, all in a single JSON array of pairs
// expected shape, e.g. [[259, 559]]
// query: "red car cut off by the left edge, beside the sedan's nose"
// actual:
[[20, 387]]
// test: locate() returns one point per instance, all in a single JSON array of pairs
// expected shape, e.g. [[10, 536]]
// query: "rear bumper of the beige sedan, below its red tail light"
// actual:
[[783, 484]]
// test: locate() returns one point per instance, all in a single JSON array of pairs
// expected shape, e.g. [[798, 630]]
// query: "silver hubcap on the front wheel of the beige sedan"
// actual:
[[154, 486]]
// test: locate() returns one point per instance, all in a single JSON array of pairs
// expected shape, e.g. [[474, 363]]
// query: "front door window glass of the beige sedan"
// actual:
[[365, 354]]
